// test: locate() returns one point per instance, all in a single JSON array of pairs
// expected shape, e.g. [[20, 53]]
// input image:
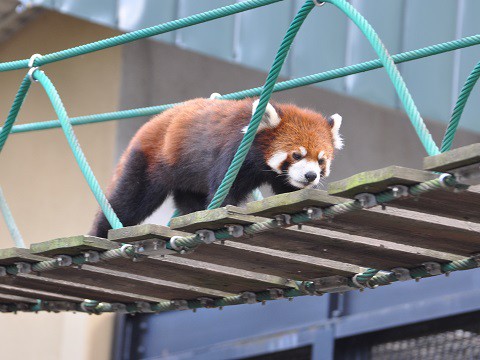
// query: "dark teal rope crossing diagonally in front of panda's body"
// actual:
[[265, 95]]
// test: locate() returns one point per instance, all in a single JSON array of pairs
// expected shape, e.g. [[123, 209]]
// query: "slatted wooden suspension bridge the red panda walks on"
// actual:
[[137, 269]]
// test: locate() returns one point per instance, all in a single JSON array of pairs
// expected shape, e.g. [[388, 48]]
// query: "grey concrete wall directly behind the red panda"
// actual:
[[375, 137]]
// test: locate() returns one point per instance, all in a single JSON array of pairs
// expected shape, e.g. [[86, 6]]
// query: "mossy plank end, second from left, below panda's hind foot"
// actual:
[[74, 245]]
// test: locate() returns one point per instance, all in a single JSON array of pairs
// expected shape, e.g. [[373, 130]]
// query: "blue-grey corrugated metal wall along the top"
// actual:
[[327, 40]]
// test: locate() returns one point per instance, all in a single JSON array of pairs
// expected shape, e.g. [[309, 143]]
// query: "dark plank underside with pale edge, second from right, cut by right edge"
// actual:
[[410, 228]]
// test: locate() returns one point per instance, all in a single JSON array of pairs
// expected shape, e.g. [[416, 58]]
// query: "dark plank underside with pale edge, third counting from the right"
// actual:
[[347, 248]]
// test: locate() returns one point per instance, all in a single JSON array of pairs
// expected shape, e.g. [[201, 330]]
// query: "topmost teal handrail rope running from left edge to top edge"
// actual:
[[139, 34]]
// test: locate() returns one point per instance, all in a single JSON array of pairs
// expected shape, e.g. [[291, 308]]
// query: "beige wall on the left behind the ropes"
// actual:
[[41, 181]]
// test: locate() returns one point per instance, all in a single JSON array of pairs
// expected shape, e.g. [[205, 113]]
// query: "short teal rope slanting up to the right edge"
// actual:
[[459, 106]]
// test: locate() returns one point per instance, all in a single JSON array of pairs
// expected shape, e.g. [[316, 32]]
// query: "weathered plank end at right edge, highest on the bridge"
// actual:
[[453, 159]]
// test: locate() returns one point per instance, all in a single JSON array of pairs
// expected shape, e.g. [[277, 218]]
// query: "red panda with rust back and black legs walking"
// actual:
[[186, 151]]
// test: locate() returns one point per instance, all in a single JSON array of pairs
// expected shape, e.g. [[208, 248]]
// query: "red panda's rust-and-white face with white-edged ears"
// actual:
[[299, 143]]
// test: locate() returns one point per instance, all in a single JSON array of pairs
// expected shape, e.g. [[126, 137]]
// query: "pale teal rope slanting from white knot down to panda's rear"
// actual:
[[76, 149]]
